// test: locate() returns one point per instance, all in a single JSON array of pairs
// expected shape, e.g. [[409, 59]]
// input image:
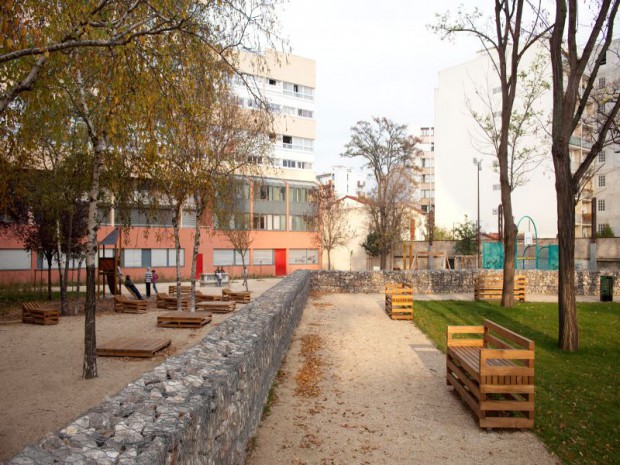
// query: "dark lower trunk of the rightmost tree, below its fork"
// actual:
[[568, 337]]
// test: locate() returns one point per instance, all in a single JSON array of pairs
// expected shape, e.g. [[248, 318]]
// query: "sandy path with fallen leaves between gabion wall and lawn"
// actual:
[[382, 399]]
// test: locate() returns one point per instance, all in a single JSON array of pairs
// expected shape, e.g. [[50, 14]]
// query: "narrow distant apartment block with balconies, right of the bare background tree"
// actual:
[[424, 199]]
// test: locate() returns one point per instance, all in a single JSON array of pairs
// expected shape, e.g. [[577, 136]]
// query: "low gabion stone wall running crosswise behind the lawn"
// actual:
[[451, 281]]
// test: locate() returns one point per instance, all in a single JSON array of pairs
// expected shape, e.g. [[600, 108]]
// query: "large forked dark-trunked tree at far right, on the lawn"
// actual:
[[574, 71]]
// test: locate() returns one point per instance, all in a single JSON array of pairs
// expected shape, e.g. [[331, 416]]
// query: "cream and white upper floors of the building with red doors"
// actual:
[[288, 84]]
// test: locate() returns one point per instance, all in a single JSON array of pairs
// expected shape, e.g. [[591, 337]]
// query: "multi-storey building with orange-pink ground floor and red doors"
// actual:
[[279, 202]]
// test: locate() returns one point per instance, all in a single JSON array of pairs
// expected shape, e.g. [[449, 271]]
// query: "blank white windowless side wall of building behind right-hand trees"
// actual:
[[458, 140]]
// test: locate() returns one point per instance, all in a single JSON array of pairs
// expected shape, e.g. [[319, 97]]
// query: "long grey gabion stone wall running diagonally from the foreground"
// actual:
[[201, 406]]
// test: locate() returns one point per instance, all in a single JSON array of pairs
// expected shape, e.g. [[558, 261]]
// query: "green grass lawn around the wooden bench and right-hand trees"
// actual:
[[577, 394]]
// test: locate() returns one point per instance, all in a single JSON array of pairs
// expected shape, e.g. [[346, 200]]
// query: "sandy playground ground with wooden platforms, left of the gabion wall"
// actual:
[[41, 389]]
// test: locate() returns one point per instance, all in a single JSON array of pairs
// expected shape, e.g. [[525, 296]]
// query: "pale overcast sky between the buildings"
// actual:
[[372, 59]]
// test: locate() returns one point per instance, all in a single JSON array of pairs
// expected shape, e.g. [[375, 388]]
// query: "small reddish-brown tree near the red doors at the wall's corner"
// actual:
[[332, 222]]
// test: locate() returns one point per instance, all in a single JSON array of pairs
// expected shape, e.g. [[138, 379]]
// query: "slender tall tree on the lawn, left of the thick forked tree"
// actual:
[[506, 40]]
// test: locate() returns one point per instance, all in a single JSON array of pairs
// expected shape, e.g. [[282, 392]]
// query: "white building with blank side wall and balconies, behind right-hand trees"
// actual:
[[459, 140]]
